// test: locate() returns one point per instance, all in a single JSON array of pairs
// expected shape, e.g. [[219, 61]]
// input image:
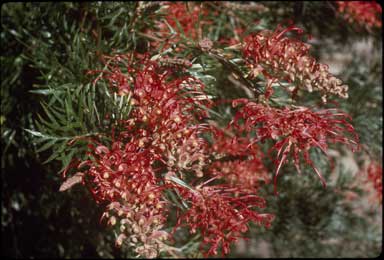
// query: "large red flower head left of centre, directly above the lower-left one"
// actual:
[[166, 112]]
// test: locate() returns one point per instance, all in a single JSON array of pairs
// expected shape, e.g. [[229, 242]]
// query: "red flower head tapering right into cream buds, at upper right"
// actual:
[[283, 58]]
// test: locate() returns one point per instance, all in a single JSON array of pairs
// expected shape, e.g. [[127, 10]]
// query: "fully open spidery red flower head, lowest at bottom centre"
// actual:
[[221, 217]]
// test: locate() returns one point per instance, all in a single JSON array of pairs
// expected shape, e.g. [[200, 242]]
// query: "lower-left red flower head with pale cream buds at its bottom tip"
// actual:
[[123, 177]]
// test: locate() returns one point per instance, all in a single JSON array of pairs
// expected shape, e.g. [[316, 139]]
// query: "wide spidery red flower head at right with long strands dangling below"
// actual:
[[295, 130]]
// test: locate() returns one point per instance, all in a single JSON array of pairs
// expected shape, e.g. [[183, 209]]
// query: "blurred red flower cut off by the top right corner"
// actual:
[[367, 13]]
